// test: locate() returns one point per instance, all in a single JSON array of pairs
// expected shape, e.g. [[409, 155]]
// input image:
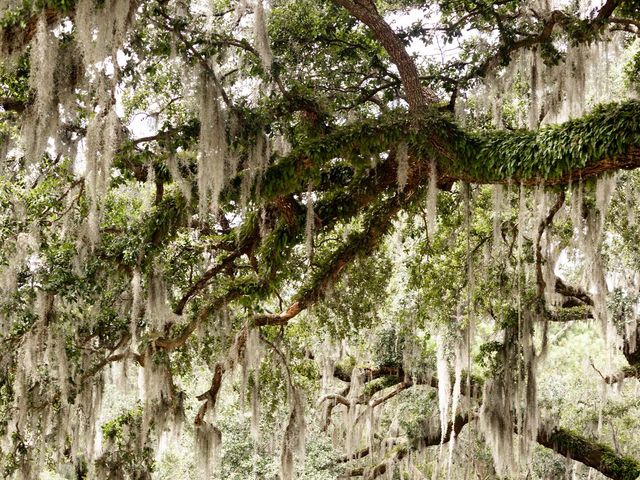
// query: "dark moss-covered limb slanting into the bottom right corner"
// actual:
[[595, 455]]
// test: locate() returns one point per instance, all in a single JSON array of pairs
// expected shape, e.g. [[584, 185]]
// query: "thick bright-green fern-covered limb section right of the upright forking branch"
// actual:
[[608, 139]]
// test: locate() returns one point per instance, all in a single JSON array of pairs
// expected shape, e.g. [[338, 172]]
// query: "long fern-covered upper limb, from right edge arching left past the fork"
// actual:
[[606, 140]]
